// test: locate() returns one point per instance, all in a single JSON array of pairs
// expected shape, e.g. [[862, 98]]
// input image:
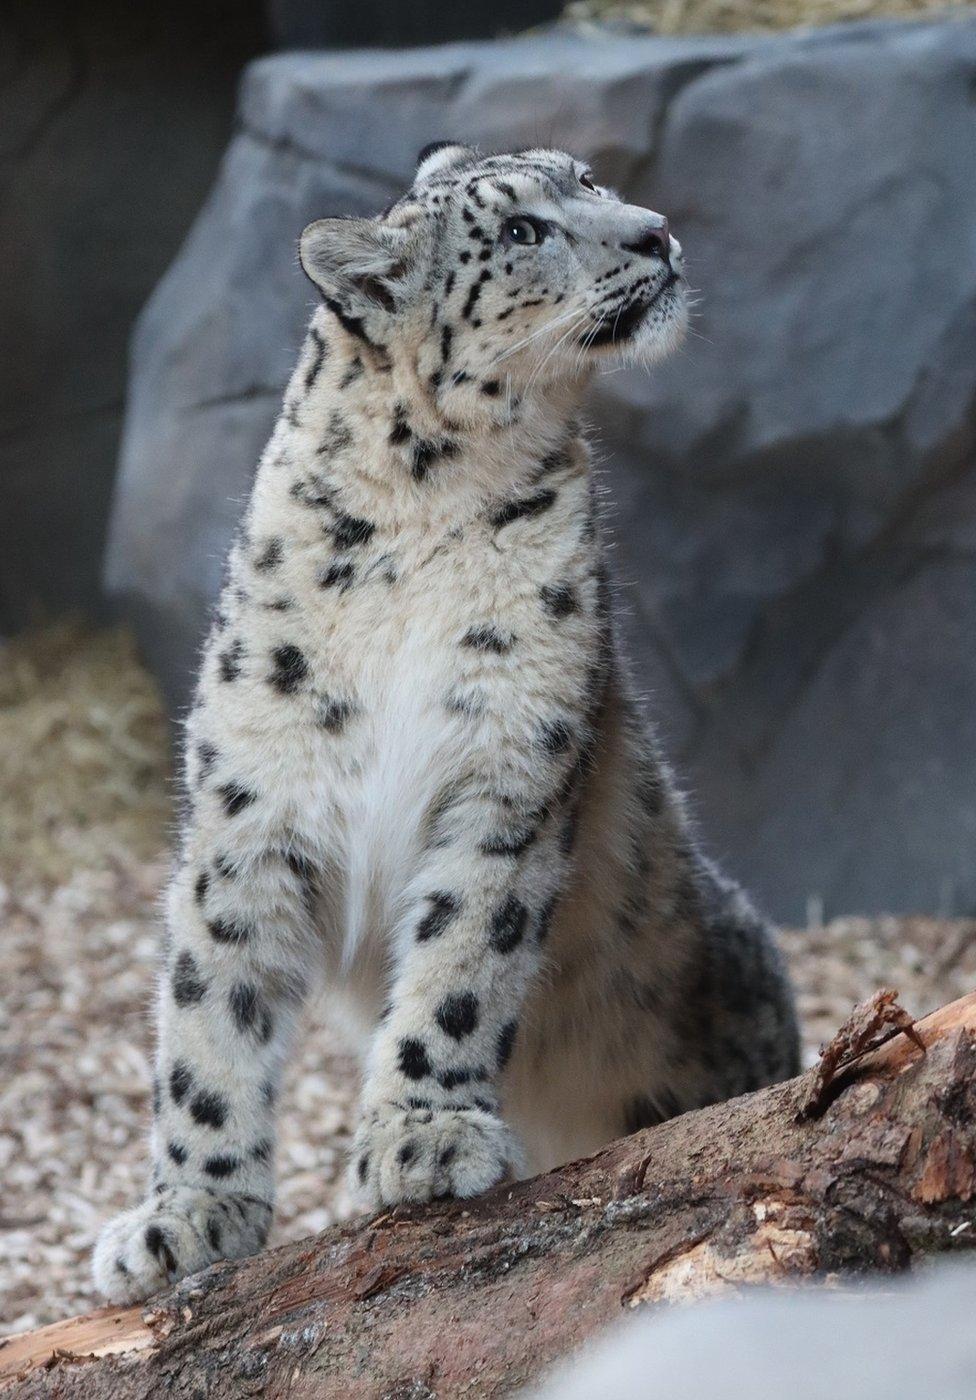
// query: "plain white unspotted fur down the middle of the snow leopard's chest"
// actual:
[[408, 663]]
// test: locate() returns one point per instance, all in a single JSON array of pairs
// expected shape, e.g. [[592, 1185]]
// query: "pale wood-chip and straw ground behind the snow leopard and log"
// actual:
[[78, 960]]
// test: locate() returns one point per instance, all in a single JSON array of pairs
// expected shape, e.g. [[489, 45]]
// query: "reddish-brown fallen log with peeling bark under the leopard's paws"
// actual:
[[869, 1165]]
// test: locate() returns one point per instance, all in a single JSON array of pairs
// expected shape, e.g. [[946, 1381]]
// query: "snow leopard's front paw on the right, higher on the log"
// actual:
[[410, 1156]]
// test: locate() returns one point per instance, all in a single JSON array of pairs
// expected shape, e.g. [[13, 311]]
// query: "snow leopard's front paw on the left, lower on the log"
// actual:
[[173, 1235]]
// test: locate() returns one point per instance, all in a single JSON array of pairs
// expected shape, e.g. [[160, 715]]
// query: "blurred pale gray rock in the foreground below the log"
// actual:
[[905, 1342]]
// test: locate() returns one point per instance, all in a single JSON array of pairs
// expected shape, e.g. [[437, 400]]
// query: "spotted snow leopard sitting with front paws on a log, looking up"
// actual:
[[419, 782]]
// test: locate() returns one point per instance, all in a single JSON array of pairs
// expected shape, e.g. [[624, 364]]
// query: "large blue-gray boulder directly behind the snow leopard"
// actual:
[[796, 491]]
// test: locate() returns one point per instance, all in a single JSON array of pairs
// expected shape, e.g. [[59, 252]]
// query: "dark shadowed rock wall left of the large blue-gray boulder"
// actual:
[[113, 122]]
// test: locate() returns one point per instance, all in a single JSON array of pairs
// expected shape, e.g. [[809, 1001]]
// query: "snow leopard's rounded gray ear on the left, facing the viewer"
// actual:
[[358, 260]]
